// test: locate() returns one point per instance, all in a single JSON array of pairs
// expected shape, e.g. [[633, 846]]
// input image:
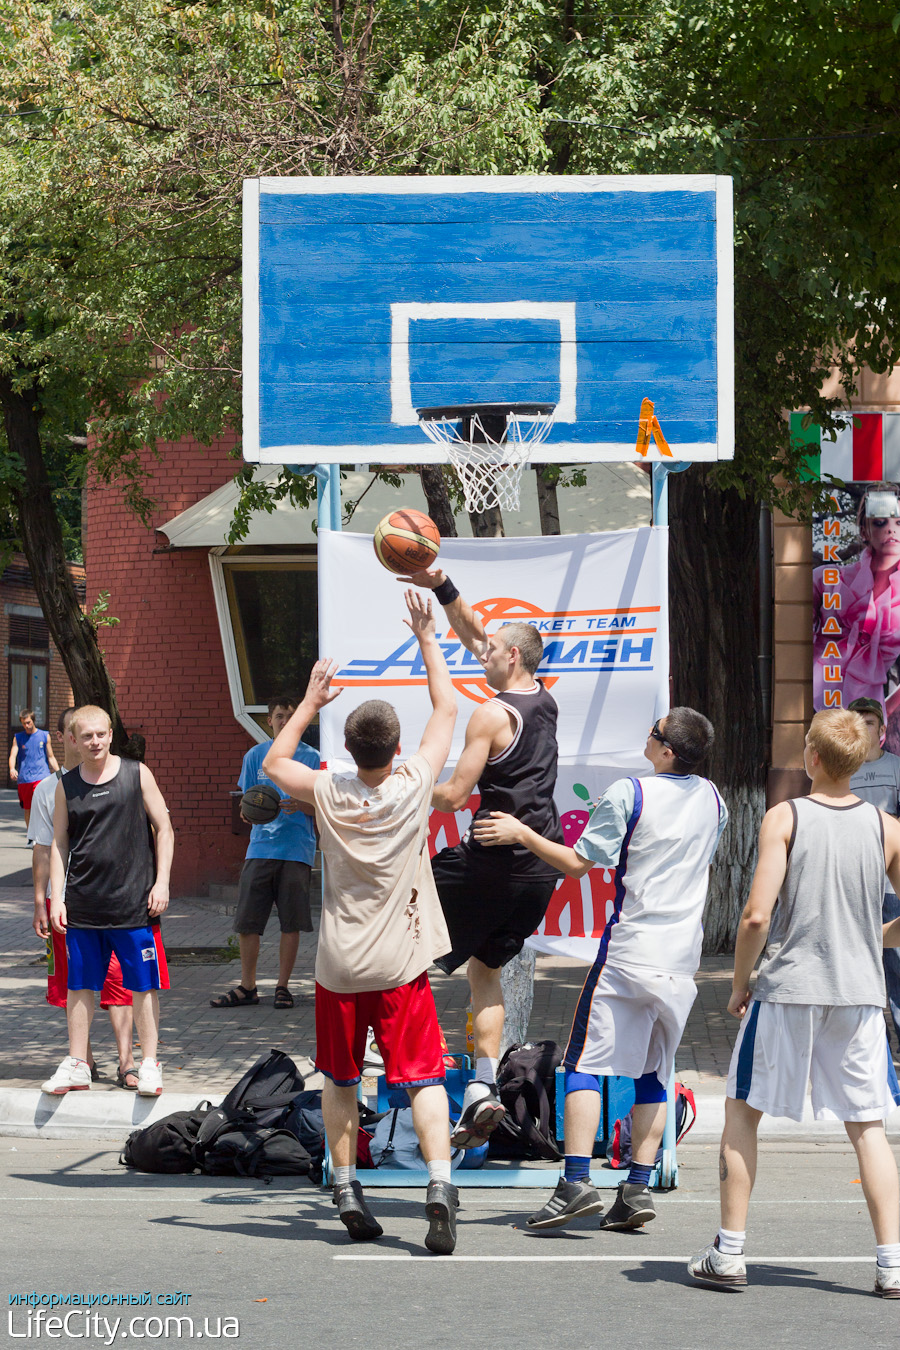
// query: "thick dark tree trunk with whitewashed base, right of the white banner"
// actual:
[[713, 605]]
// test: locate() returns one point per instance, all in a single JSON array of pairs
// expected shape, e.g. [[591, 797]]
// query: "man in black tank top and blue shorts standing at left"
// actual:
[[109, 880]]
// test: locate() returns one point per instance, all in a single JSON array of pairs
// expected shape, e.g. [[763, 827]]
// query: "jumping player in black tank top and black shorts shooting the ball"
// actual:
[[495, 900]]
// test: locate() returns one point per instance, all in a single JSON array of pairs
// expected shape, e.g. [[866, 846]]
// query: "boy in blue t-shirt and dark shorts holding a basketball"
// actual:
[[277, 871]]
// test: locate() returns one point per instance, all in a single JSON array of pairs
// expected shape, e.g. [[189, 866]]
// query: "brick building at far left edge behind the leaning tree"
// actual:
[[32, 674]]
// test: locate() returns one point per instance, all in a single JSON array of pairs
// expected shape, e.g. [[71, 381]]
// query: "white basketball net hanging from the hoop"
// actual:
[[490, 470]]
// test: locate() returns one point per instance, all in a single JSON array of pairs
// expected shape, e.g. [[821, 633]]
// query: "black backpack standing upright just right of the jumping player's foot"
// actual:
[[527, 1083]]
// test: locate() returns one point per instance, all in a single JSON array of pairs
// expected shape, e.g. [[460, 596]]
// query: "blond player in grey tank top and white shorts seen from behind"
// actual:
[[816, 1015]]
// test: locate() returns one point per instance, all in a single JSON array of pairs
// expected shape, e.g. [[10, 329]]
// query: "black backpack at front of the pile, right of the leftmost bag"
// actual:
[[234, 1144]]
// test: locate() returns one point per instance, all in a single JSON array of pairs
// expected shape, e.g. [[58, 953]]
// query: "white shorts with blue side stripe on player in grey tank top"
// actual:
[[843, 1052]]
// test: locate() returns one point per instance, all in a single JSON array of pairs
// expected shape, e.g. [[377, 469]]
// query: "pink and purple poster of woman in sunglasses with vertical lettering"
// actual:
[[856, 601]]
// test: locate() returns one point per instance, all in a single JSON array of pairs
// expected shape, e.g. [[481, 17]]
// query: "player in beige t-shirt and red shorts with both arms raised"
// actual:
[[383, 924]]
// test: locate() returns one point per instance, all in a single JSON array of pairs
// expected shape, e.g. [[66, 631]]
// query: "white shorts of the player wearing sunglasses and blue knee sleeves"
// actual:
[[629, 1023]]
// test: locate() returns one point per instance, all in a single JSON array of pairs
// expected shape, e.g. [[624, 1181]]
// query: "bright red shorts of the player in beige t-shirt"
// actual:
[[407, 1031]]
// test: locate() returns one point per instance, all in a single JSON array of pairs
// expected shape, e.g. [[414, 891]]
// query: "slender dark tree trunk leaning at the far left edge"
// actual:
[[75, 635]]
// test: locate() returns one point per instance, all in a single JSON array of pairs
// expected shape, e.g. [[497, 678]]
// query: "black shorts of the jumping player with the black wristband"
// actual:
[[489, 913]]
